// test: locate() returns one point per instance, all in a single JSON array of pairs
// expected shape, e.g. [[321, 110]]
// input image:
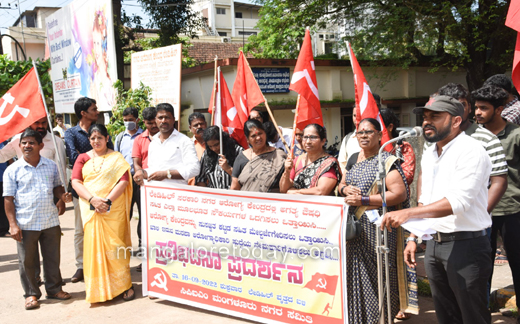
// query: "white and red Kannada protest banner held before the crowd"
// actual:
[[271, 258]]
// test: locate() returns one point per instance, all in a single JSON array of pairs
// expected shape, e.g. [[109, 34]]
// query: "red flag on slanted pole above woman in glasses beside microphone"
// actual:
[[366, 106]]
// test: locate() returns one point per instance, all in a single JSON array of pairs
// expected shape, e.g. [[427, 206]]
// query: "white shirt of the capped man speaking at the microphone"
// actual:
[[460, 174]]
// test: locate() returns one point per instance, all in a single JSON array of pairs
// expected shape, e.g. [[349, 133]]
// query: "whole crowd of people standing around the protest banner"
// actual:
[[469, 182]]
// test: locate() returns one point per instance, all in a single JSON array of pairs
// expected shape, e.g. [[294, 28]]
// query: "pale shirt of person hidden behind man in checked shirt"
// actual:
[[12, 149]]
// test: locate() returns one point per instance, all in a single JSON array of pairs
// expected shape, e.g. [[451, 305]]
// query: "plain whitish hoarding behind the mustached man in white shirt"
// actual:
[[160, 69]]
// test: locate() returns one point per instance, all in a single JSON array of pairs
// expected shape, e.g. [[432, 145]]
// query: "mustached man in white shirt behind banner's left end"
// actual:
[[171, 155]]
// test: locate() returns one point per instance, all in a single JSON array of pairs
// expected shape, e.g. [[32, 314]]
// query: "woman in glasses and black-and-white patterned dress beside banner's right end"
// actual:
[[361, 194]]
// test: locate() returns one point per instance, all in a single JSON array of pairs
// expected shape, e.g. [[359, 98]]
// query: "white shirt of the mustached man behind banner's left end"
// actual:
[[177, 152]]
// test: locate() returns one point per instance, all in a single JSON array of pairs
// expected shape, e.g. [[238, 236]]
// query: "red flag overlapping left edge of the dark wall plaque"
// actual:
[[246, 92]]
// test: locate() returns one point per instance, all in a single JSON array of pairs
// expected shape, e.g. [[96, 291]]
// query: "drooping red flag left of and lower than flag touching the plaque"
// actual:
[[226, 114]]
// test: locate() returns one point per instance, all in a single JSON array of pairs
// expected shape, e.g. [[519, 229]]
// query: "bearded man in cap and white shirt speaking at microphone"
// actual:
[[455, 174]]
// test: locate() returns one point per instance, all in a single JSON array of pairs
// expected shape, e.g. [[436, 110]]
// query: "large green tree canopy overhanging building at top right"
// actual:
[[467, 34]]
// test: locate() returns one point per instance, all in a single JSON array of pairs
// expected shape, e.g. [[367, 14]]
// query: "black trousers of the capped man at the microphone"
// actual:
[[458, 272]]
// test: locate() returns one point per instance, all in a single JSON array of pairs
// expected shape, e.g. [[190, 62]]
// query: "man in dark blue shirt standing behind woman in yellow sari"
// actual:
[[77, 142]]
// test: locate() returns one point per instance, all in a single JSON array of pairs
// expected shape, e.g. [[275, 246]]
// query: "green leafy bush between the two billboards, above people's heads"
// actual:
[[139, 98]]
